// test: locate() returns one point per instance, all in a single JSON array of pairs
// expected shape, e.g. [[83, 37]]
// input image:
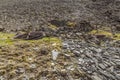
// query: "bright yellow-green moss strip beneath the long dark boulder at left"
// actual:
[[7, 39]]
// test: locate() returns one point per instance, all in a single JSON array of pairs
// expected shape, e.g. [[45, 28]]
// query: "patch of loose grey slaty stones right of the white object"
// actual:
[[97, 61]]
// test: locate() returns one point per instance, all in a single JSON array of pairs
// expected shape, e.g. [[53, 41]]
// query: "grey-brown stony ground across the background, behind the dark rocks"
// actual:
[[20, 15]]
